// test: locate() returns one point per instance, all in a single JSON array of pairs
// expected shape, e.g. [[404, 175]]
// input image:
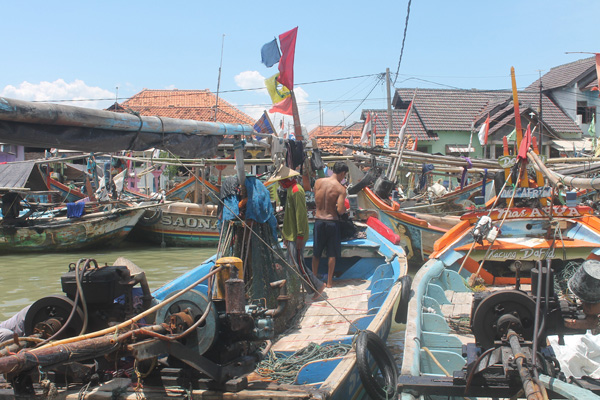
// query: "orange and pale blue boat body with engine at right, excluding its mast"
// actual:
[[458, 335]]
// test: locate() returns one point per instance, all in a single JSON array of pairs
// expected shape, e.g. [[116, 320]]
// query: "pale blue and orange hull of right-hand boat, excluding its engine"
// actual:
[[442, 297]]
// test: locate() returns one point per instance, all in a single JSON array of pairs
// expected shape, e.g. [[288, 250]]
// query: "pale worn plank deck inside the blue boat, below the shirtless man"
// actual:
[[320, 322]]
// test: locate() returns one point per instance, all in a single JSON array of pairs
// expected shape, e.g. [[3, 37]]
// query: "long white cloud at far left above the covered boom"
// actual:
[[77, 91]]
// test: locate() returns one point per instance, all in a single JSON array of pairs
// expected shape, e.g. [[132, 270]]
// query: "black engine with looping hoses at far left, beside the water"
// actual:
[[95, 297]]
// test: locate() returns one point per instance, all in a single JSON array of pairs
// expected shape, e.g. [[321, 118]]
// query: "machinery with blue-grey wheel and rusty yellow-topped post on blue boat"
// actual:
[[221, 338]]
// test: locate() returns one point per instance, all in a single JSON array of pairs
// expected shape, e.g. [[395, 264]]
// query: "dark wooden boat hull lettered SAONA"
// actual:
[[178, 225]]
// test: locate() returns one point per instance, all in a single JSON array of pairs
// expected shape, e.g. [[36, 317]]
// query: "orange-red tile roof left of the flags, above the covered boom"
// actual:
[[184, 104]]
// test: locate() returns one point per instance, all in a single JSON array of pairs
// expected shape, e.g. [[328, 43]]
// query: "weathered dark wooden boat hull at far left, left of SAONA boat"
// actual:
[[63, 234]]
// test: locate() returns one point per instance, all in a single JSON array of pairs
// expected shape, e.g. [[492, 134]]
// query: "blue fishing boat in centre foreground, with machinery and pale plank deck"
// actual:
[[225, 353]]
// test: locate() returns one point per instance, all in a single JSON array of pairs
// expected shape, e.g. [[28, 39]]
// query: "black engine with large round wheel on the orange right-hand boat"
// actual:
[[510, 348]]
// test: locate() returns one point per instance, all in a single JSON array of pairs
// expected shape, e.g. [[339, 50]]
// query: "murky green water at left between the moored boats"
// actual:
[[25, 278]]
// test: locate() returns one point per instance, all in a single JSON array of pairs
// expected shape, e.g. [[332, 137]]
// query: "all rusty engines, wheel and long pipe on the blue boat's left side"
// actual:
[[219, 335]]
